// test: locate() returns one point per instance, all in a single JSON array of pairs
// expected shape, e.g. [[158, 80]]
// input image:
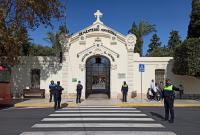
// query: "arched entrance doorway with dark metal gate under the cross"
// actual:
[[97, 75]]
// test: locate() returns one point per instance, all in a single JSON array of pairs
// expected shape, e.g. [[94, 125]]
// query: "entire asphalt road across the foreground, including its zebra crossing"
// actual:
[[97, 121]]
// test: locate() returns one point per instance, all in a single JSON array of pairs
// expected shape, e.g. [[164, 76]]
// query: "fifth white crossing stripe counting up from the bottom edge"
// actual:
[[93, 111]]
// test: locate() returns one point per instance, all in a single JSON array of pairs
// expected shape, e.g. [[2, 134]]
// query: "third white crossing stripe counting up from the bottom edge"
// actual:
[[97, 119]]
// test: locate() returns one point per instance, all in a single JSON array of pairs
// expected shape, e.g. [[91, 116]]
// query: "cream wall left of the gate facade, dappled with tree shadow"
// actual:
[[50, 69]]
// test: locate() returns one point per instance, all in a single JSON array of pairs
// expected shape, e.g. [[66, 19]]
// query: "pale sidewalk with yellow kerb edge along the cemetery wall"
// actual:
[[136, 102]]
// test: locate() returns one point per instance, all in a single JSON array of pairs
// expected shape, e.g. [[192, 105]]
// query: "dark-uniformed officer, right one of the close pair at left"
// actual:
[[57, 95]]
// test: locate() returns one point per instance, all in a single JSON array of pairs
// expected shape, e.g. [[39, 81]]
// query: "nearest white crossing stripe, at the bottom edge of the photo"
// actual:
[[99, 133]]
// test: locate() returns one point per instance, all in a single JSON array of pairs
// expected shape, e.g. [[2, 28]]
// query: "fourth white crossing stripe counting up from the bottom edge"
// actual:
[[100, 114]]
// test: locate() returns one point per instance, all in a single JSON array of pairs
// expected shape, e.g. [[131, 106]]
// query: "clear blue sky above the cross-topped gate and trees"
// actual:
[[167, 15]]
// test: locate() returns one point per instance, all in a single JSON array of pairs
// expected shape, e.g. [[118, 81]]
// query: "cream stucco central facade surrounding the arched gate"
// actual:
[[77, 67]]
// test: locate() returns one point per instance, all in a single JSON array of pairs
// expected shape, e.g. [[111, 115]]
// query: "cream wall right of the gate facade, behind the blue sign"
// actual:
[[190, 84]]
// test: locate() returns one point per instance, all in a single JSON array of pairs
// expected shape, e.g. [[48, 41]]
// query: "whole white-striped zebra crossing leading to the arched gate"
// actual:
[[98, 120]]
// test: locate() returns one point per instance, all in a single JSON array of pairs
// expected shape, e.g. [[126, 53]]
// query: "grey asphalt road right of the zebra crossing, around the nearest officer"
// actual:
[[187, 120]]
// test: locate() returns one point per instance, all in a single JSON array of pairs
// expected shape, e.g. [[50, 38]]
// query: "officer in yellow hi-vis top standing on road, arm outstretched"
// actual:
[[169, 95]]
